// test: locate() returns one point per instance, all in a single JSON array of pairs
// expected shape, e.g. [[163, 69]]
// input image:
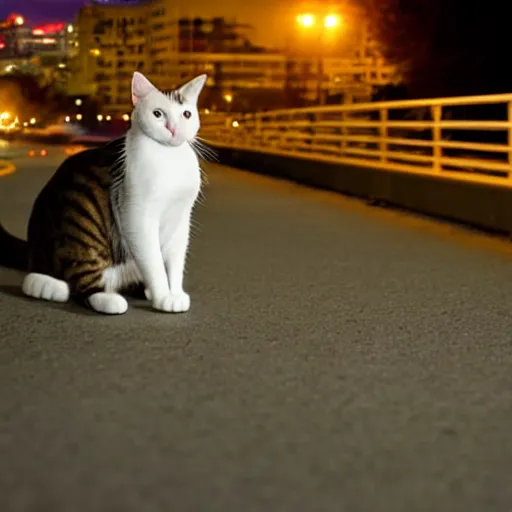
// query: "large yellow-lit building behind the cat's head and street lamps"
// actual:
[[117, 38]]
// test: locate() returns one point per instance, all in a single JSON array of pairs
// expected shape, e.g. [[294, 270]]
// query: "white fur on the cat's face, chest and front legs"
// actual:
[[161, 185]]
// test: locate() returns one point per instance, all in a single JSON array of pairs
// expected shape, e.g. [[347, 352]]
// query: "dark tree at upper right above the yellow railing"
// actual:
[[444, 47]]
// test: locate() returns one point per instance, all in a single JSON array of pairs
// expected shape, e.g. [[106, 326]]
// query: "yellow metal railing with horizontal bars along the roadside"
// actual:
[[464, 138]]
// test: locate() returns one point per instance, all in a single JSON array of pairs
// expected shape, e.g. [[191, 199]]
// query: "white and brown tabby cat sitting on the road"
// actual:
[[119, 215]]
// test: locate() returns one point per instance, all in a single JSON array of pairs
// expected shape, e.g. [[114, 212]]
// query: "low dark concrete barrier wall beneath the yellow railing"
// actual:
[[484, 206]]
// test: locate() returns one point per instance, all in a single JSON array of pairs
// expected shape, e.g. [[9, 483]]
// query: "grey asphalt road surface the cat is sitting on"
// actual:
[[336, 358]]
